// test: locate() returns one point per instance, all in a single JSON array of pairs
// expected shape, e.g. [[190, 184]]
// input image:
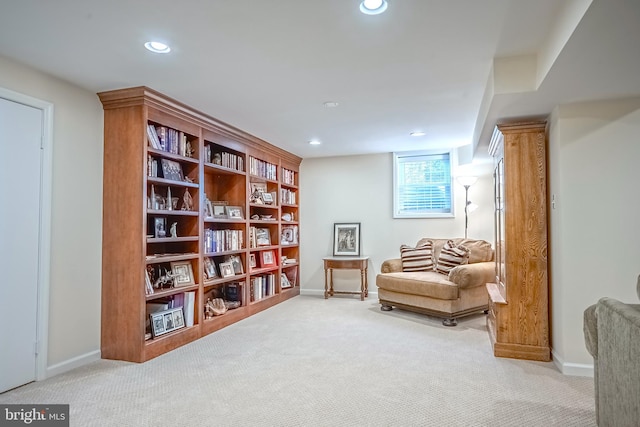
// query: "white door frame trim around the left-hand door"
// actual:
[[44, 266]]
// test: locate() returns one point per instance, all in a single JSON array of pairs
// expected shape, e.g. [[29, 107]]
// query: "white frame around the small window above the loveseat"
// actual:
[[397, 156]]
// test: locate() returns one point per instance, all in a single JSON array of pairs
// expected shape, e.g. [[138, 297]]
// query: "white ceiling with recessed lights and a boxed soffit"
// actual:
[[267, 66]]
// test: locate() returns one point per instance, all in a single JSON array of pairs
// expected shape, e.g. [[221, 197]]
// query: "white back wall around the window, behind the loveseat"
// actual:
[[359, 189]]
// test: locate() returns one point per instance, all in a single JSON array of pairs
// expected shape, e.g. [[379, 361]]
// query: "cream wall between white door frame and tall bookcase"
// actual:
[[76, 223]]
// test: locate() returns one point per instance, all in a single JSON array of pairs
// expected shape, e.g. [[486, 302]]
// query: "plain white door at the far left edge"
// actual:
[[20, 191]]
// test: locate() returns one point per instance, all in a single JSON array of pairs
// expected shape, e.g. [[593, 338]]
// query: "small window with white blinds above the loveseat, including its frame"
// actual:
[[422, 185]]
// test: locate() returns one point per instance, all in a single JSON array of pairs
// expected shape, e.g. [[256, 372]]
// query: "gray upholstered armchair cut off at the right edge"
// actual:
[[612, 337]]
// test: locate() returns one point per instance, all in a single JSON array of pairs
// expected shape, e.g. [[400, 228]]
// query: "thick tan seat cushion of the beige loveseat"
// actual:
[[425, 283]]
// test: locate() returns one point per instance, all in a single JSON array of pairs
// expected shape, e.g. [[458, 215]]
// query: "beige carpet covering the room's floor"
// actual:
[[316, 362]]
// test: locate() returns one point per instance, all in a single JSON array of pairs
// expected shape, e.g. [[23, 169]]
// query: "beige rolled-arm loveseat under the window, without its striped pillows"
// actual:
[[460, 292]]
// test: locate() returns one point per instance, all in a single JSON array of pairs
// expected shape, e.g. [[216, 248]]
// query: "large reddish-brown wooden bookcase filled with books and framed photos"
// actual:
[[184, 192]]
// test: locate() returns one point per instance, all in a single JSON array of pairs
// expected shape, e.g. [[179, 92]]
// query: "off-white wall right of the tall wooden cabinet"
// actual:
[[594, 174]]
